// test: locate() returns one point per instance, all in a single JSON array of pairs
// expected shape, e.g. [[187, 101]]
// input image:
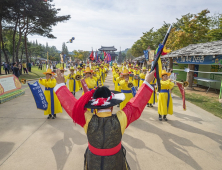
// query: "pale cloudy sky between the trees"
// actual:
[[117, 22]]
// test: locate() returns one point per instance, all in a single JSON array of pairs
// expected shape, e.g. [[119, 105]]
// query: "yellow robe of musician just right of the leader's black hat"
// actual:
[[127, 91]]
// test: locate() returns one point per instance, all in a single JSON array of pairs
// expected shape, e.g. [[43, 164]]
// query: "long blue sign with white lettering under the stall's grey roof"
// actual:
[[211, 60]]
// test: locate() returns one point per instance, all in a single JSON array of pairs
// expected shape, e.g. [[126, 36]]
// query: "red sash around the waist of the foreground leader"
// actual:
[[105, 152]]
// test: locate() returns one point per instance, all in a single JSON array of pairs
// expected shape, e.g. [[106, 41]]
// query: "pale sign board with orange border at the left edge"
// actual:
[[9, 84]]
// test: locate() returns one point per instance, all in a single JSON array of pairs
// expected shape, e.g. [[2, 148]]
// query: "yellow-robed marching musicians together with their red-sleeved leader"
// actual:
[[135, 88]]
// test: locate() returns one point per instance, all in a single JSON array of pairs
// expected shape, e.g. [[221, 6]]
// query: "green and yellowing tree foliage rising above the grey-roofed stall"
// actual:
[[189, 29]]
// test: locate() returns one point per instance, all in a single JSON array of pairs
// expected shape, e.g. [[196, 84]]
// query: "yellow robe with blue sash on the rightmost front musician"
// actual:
[[165, 103]]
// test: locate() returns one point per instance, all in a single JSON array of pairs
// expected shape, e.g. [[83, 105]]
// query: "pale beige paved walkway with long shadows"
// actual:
[[191, 139]]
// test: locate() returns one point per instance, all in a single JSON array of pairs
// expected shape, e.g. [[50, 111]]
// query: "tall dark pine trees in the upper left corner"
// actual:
[[26, 17]]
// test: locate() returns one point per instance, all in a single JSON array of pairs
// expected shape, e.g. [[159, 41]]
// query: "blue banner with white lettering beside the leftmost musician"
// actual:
[[39, 96]]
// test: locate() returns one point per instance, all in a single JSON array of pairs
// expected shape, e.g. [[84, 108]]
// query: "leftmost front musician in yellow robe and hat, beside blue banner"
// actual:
[[54, 105]]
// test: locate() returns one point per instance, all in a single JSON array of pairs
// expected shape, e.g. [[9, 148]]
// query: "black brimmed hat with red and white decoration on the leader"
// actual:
[[104, 98]]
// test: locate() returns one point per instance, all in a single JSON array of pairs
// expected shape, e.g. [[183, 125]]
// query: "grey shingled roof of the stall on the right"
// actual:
[[202, 49]]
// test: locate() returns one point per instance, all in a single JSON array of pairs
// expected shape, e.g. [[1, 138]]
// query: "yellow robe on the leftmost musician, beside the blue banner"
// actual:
[[49, 85]]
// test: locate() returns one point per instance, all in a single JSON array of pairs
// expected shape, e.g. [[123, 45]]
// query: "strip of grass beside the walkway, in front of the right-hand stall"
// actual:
[[210, 104]]
